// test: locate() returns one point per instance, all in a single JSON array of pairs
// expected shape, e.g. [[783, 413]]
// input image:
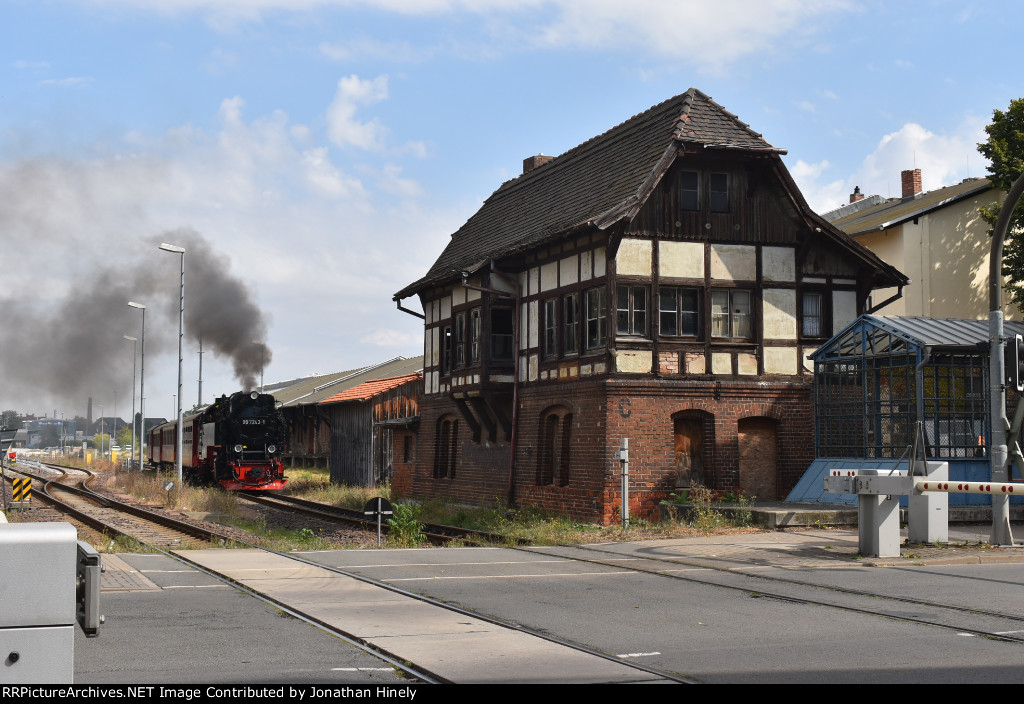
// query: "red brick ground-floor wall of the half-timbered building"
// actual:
[[604, 412]]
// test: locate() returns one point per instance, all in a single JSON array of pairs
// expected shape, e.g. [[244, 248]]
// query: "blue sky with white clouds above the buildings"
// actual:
[[329, 148]]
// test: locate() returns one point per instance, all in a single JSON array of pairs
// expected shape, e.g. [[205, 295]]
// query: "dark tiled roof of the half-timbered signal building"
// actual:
[[595, 184]]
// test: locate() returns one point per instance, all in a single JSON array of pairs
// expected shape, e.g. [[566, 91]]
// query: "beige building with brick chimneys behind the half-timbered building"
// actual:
[[937, 239]]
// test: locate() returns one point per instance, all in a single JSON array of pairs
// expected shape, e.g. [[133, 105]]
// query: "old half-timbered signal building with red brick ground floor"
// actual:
[[664, 283]]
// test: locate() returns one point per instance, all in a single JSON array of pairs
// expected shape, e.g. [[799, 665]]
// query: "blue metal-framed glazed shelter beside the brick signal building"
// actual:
[[882, 375]]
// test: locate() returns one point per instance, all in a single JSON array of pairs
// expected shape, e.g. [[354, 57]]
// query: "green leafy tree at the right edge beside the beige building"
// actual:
[[1005, 151]]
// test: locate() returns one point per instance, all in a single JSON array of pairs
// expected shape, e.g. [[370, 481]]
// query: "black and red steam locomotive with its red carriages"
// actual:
[[236, 443]]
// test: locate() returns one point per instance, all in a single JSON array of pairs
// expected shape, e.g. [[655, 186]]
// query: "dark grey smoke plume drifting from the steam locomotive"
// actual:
[[63, 351]]
